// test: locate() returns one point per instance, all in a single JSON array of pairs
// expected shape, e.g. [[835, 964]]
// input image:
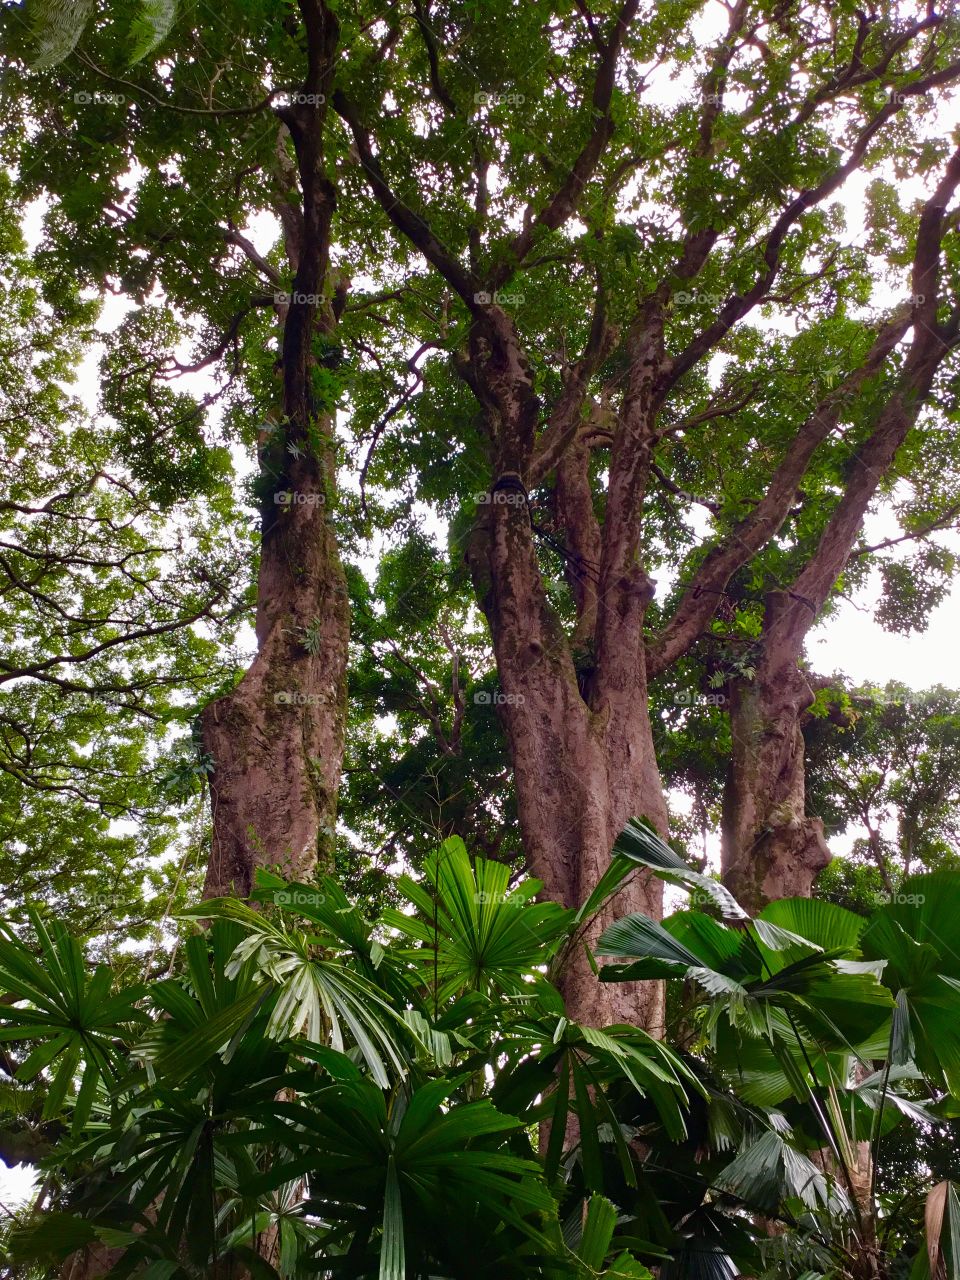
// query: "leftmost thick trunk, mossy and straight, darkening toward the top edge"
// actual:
[[277, 739]]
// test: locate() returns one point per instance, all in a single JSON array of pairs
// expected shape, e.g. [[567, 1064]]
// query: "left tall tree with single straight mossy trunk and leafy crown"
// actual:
[[184, 132]]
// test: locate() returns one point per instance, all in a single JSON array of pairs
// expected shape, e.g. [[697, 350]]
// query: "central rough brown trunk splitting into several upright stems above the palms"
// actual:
[[575, 715]]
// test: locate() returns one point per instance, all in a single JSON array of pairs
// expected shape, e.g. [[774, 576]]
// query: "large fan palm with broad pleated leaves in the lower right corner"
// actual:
[[834, 1031]]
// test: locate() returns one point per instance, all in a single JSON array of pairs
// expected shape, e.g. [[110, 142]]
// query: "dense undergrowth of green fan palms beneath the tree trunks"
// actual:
[[313, 1092]]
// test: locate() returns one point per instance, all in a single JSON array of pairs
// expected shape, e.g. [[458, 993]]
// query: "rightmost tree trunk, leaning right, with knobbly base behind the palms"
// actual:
[[771, 849]]
